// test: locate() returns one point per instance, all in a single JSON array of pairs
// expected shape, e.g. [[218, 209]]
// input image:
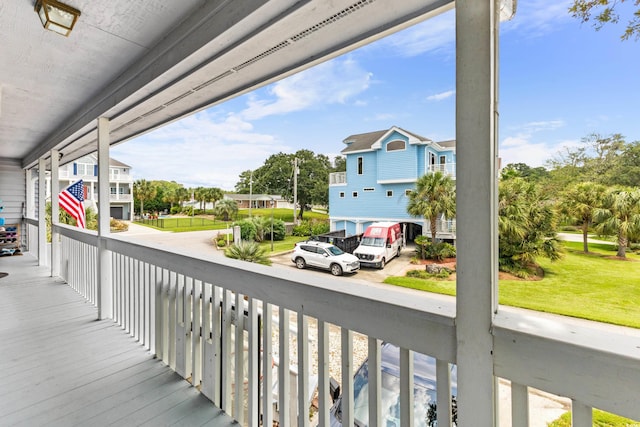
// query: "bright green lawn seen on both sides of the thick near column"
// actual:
[[591, 286]]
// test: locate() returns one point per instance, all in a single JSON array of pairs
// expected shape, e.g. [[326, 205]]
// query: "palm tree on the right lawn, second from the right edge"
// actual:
[[581, 201]]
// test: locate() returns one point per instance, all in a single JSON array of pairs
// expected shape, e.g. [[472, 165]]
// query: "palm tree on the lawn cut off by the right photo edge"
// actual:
[[620, 214]]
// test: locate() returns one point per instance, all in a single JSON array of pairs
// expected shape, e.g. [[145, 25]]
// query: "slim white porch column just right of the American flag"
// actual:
[[104, 256]]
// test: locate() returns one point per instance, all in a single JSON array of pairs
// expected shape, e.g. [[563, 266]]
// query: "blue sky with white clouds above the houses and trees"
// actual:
[[560, 81]]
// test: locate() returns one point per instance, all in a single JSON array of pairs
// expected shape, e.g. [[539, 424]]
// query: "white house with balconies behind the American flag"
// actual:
[[120, 184]]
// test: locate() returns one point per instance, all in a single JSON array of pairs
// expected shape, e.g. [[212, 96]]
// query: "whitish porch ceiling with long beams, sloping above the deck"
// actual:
[[144, 64]]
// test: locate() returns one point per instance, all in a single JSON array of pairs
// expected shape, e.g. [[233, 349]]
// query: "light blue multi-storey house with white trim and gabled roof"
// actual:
[[382, 168]]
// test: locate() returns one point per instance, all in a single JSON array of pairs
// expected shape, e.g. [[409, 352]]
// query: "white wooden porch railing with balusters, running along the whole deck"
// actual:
[[184, 310]]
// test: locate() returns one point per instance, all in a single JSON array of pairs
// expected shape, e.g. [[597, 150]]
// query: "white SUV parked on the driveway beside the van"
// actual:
[[326, 256]]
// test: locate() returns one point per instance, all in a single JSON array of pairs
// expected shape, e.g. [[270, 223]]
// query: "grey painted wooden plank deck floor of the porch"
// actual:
[[59, 366]]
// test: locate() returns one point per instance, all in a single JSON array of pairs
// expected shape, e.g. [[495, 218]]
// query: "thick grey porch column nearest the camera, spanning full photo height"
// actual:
[[476, 186]]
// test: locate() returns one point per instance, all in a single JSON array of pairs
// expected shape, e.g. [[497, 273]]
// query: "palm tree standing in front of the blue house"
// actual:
[[434, 197]]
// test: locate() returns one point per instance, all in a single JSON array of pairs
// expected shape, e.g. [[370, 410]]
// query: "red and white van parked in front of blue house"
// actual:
[[381, 242]]
